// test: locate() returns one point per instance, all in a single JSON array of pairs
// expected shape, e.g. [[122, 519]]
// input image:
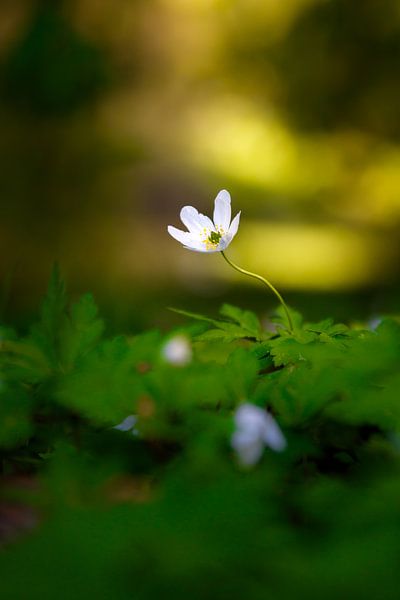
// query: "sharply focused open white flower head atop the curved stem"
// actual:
[[203, 235]]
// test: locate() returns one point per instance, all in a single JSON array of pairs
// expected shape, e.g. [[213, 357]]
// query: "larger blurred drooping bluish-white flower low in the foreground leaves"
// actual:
[[255, 429]]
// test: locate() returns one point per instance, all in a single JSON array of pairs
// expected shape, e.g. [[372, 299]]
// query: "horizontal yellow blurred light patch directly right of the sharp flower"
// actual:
[[319, 257]]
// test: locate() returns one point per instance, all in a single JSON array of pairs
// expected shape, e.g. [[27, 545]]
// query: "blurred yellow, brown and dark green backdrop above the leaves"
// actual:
[[114, 115]]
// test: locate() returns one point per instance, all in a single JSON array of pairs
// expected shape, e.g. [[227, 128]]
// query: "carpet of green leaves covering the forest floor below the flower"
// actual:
[[165, 505]]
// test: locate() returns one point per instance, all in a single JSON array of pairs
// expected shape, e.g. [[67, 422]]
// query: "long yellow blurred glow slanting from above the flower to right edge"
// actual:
[[353, 174]]
